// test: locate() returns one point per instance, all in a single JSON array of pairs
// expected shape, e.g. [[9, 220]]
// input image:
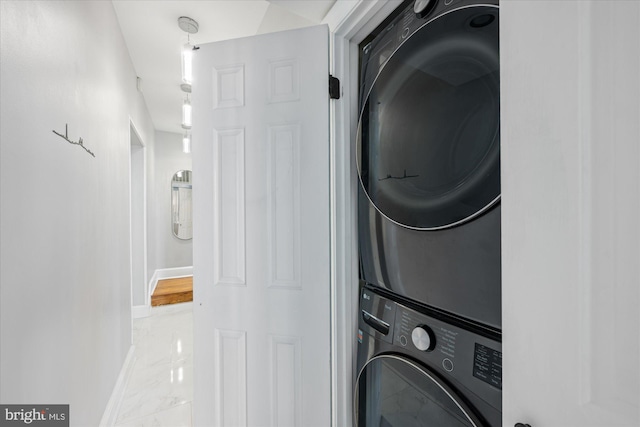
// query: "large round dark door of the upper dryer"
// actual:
[[428, 147]]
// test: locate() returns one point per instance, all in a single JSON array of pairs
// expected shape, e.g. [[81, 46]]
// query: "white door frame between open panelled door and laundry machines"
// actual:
[[349, 24]]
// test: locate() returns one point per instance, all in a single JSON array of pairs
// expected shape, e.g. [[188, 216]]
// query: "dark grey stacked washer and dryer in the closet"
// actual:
[[428, 157]]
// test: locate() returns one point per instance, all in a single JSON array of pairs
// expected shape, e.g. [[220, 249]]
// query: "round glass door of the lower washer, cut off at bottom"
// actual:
[[395, 392]]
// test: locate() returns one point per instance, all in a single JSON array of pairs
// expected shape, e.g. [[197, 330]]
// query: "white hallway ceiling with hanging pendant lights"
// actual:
[[154, 40]]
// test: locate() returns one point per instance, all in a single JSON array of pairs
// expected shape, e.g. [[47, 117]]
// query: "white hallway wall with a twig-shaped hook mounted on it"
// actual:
[[65, 297]]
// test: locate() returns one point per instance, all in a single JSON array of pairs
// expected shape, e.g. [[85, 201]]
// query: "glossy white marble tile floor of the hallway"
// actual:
[[159, 392]]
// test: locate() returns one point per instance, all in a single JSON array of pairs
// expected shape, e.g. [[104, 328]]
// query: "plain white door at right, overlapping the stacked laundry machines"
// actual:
[[571, 212]]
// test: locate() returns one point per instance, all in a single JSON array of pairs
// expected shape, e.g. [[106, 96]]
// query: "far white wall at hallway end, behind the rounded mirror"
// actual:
[[170, 252]]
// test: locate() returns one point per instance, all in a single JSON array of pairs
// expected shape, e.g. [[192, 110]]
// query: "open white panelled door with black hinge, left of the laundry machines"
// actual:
[[261, 224]]
